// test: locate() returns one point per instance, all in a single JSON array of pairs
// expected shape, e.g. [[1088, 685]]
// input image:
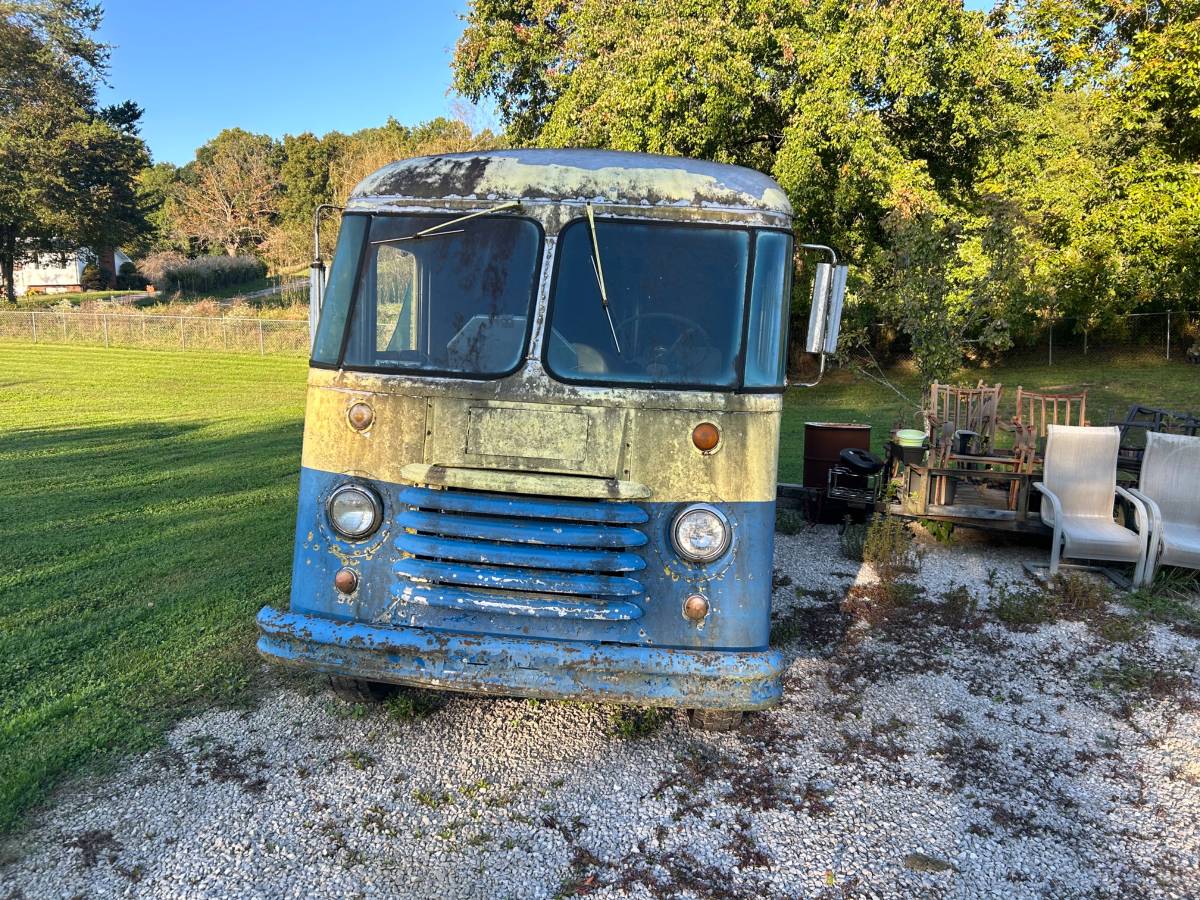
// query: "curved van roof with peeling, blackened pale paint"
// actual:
[[562, 176]]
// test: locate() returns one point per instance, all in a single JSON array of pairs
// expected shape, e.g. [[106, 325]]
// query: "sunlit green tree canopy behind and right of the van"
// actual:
[[977, 170]]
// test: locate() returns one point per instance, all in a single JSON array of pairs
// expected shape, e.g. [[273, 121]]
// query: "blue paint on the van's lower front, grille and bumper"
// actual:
[[620, 593]]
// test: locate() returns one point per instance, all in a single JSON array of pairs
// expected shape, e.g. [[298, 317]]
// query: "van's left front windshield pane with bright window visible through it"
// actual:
[[455, 301]]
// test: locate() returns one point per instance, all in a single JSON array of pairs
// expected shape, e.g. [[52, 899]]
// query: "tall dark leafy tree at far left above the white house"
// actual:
[[68, 167]]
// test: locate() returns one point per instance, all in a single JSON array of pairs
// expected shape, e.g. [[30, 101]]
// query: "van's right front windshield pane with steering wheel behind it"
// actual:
[[676, 296]]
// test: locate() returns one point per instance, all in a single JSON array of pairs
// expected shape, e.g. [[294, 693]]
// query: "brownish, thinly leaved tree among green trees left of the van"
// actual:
[[232, 194]]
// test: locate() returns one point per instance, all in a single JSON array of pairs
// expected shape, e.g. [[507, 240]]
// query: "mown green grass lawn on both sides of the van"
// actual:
[[147, 506]]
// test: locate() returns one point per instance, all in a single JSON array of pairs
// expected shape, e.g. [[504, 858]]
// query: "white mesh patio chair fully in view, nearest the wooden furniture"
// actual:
[[1079, 491]]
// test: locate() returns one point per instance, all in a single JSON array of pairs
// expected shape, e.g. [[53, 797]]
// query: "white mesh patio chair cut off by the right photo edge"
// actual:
[[1171, 489]]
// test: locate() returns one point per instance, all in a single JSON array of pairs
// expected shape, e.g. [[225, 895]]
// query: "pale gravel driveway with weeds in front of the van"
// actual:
[[931, 751]]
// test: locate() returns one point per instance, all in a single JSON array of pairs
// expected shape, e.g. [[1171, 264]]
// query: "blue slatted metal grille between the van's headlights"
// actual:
[[521, 555]]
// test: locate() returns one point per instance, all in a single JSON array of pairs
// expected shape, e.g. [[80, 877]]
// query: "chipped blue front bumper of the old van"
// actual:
[[525, 668]]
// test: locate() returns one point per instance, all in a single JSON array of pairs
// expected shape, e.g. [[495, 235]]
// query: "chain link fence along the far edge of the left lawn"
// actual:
[[157, 333]]
